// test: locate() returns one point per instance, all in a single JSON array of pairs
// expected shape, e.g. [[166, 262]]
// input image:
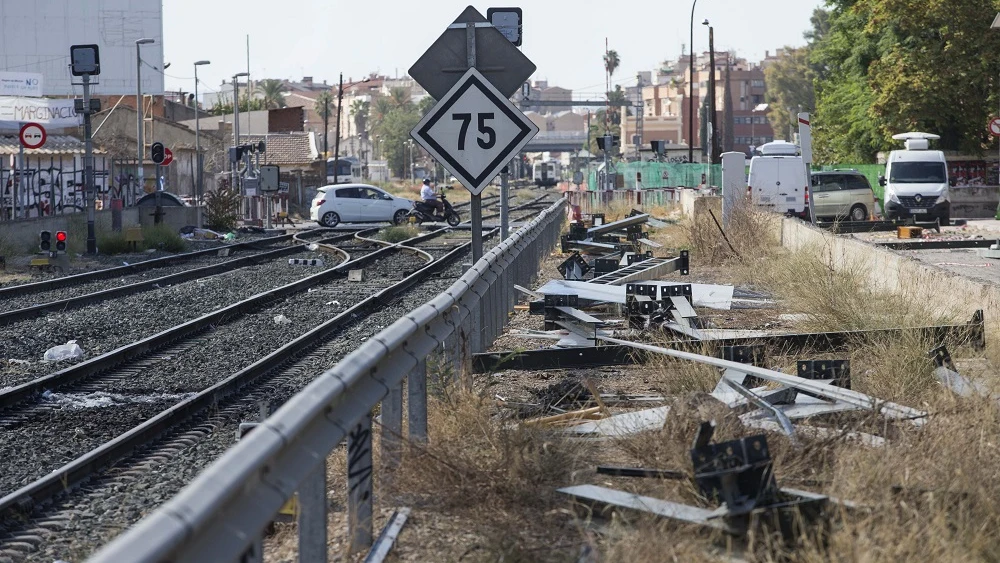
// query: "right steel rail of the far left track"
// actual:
[[79, 301]]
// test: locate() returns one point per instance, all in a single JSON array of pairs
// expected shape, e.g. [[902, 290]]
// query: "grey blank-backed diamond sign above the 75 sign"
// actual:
[[445, 61]]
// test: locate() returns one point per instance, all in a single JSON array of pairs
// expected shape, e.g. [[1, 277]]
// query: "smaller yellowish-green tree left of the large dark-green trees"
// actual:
[[789, 87]]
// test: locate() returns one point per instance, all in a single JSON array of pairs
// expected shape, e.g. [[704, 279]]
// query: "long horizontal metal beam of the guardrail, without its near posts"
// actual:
[[224, 510]]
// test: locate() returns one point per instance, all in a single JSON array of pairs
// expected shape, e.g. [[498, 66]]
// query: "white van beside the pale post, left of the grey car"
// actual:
[[778, 181]]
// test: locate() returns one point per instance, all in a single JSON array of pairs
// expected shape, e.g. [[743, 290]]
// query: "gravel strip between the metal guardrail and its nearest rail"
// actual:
[[101, 512]]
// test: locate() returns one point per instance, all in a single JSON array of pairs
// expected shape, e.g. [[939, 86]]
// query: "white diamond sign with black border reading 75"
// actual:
[[474, 131]]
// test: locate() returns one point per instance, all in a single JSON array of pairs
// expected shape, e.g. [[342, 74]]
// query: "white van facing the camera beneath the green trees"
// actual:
[[916, 181]]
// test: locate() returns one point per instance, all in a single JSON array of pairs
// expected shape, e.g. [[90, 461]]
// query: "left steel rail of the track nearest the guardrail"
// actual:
[[94, 366]]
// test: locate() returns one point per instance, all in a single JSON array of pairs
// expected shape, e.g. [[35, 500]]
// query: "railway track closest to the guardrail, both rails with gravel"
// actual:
[[157, 412]]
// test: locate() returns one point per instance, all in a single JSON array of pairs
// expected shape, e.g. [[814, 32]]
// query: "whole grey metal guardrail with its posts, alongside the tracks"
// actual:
[[222, 514]]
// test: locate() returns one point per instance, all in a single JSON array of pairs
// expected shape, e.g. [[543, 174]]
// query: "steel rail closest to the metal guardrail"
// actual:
[[113, 451]]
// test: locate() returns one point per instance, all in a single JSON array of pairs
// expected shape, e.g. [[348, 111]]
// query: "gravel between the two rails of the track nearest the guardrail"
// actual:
[[218, 354]]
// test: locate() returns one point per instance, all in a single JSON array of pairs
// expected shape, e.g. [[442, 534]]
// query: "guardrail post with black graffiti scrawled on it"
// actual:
[[359, 484]]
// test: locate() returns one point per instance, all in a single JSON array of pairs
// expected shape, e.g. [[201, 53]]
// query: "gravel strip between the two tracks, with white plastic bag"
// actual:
[[106, 326]]
